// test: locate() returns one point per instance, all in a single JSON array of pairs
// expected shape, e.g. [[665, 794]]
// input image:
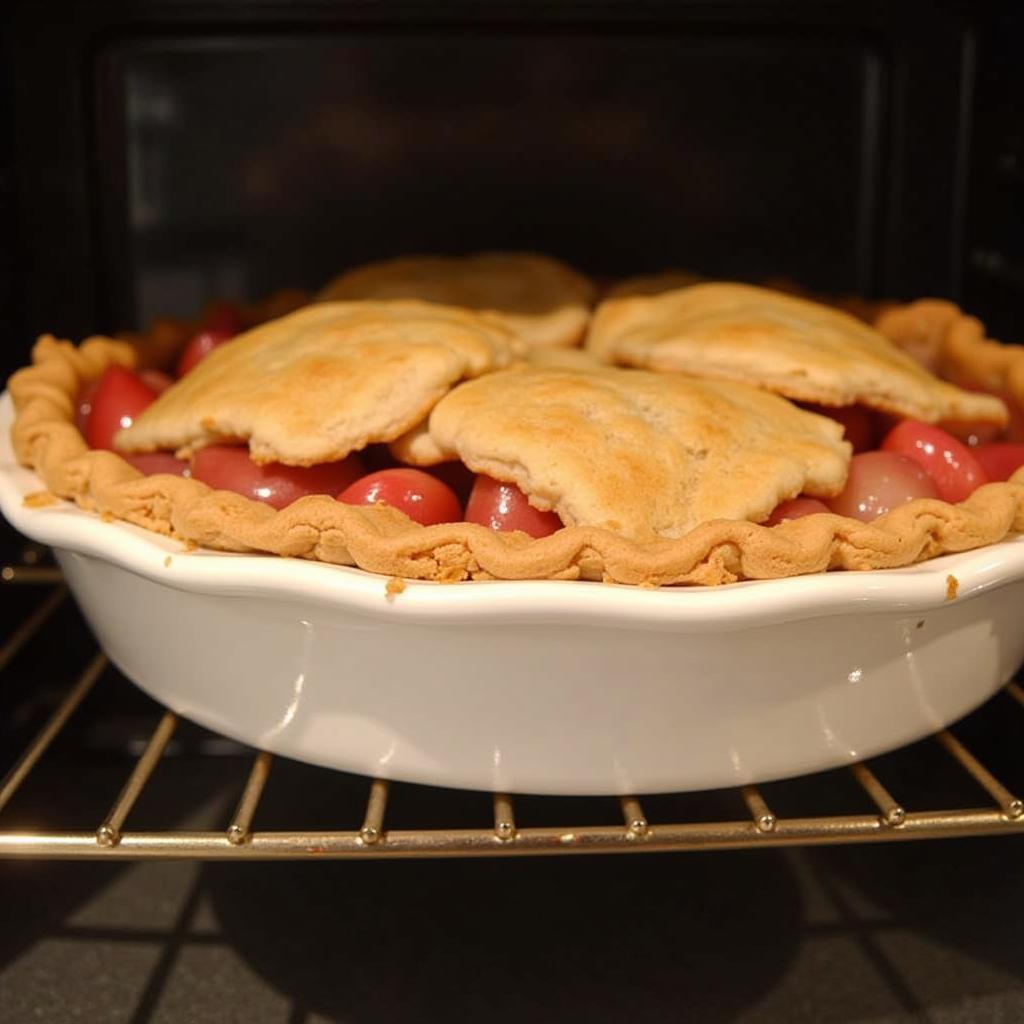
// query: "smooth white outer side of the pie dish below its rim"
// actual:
[[558, 709]]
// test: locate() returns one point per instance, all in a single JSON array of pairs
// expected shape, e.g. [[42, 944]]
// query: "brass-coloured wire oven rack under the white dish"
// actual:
[[889, 821]]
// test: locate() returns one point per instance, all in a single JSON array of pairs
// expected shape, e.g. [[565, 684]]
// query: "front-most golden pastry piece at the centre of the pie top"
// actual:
[[646, 456]]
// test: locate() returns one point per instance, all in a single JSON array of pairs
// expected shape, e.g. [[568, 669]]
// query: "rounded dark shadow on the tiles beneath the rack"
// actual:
[[595, 940]]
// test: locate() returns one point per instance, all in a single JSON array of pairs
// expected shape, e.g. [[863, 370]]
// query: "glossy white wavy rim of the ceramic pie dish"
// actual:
[[316, 587]]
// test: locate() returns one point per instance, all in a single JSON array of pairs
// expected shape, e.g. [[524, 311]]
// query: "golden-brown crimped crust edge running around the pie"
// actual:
[[383, 541]]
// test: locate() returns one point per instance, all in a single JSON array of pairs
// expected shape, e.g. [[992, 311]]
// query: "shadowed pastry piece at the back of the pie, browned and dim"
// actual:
[[541, 301]]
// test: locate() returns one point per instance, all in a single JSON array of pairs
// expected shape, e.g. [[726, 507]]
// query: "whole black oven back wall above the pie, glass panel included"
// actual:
[[161, 154]]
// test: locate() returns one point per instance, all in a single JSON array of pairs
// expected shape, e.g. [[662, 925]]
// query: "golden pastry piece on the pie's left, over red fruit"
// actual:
[[323, 382]]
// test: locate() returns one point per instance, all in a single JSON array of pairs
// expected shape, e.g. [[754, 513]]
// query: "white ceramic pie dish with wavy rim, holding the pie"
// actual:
[[554, 688]]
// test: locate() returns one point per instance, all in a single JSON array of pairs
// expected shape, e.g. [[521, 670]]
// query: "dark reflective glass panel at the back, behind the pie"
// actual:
[[257, 162]]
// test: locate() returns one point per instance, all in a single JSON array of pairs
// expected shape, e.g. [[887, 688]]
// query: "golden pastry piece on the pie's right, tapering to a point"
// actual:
[[782, 344]]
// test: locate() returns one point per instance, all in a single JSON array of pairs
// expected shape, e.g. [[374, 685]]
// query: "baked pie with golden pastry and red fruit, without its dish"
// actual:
[[621, 475]]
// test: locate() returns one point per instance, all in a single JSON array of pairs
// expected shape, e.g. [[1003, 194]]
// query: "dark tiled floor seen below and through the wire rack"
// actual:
[[926, 932]]
